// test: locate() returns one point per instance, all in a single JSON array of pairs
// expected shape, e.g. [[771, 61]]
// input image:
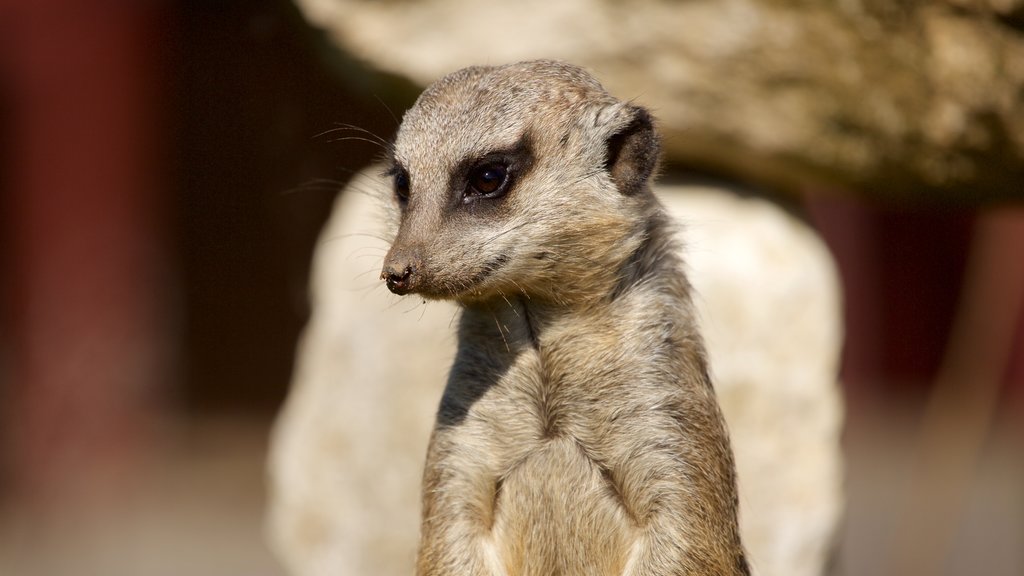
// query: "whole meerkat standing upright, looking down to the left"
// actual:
[[579, 433]]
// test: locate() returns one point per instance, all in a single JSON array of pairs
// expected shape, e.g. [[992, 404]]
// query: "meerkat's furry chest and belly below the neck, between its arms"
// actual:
[[539, 434]]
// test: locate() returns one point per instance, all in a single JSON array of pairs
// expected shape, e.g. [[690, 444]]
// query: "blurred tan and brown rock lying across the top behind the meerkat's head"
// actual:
[[916, 100]]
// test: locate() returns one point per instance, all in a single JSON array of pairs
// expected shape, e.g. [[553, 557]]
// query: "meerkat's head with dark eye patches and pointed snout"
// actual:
[[524, 179]]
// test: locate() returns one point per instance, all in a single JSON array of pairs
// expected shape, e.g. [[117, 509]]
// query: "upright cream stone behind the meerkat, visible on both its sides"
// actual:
[[349, 448]]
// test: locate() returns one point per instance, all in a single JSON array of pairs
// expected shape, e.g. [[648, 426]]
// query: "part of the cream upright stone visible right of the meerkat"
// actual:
[[770, 301]]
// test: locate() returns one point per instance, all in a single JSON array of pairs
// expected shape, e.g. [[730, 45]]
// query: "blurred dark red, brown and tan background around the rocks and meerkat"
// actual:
[[164, 181]]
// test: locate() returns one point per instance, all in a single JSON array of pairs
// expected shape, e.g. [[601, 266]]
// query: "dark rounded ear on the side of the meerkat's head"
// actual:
[[632, 152]]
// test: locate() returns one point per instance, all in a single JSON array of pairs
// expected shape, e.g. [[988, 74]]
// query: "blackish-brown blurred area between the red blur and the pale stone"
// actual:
[[251, 94]]
